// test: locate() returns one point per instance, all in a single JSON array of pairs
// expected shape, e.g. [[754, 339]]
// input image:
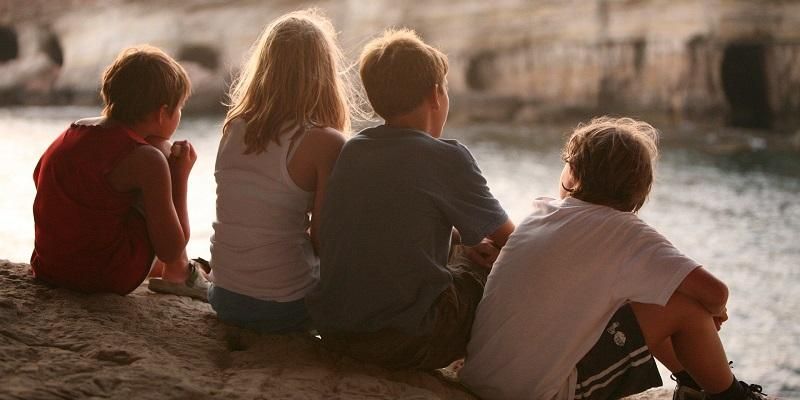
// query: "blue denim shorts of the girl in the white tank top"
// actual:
[[262, 316]]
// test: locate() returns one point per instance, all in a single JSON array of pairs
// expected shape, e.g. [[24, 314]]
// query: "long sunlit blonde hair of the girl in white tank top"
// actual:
[[295, 74]]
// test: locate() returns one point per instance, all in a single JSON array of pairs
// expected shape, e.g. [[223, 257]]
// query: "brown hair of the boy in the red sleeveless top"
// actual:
[[141, 80]]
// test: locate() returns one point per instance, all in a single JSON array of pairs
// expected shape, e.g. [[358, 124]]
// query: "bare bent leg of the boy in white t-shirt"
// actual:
[[693, 335]]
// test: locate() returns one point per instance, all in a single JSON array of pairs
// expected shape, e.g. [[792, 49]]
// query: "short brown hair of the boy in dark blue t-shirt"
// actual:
[[398, 70]]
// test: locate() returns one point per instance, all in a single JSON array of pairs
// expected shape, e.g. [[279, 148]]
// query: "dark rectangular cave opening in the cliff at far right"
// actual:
[[744, 81]]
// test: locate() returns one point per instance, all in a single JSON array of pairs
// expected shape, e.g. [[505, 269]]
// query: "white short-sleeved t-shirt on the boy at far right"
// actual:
[[564, 272]]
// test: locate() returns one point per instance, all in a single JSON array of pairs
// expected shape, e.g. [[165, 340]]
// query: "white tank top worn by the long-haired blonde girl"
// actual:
[[261, 247]]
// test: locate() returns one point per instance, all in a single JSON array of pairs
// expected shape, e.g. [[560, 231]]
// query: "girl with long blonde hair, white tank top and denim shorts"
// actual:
[[281, 137]]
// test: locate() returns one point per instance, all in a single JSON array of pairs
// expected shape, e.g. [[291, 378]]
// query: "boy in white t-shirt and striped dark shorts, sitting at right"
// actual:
[[584, 293]]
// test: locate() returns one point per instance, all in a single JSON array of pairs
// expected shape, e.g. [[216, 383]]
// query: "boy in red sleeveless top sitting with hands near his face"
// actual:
[[111, 190]]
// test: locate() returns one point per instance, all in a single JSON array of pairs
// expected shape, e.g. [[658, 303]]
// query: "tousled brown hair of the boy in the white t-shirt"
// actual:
[[612, 162]]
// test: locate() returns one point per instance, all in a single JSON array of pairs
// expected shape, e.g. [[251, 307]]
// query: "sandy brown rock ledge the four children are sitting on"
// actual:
[[58, 344]]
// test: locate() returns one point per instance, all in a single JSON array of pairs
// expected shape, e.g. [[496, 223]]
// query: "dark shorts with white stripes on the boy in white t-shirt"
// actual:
[[619, 364]]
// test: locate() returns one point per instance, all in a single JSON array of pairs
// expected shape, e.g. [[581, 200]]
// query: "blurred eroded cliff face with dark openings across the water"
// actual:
[[733, 61]]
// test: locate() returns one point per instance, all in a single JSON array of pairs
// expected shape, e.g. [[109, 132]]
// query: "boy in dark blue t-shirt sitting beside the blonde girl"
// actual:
[[397, 199]]
